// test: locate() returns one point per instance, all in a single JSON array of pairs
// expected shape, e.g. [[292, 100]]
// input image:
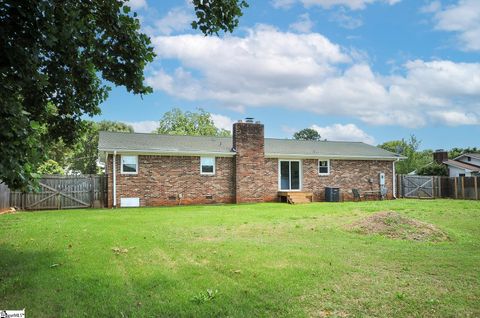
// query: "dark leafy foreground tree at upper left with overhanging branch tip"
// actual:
[[56, 60]]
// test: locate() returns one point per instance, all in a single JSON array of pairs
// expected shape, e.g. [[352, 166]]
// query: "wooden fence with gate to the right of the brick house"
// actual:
[[430, 187]]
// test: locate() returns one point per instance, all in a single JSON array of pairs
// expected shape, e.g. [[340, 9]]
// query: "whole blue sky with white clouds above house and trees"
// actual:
[[368, 70]]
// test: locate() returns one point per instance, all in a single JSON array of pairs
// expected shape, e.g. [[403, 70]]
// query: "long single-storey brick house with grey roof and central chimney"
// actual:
[[152, 169]]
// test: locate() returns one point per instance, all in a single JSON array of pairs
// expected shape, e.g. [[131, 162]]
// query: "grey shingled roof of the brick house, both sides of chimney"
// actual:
[[179, 145]]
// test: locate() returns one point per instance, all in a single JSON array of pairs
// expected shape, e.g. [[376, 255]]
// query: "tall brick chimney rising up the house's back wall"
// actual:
[[249, 144]]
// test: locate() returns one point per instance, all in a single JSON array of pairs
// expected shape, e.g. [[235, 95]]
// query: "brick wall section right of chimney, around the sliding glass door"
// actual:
[[346, 174]]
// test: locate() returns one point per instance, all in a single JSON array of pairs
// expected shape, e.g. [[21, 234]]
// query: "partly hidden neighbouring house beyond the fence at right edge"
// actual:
[[465, 165]]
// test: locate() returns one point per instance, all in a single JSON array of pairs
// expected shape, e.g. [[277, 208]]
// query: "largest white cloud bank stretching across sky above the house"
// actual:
[[307, 72]]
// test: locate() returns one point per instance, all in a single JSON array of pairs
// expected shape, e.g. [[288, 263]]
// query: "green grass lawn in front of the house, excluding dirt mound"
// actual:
[[262, 260]]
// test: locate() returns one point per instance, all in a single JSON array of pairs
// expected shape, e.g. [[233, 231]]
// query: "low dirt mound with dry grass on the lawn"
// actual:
[[396, 226]]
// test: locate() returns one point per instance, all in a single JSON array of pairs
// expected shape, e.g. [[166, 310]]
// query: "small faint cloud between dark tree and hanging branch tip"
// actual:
[[177, 19]]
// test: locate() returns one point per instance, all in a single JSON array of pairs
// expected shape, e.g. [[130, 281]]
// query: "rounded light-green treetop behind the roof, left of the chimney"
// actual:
[[200, 123]]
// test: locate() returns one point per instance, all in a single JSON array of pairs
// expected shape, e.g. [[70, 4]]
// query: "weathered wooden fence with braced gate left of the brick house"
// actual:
[[63, 192]]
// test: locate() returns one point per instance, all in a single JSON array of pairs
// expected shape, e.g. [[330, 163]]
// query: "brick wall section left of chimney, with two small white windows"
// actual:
[[161, 179]]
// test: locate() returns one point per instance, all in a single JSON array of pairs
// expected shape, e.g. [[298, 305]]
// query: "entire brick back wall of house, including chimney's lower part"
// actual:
[[162, 178]]
